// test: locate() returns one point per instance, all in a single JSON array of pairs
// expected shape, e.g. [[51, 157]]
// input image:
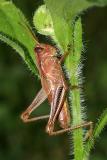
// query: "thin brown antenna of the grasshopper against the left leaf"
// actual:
[[29, 30]]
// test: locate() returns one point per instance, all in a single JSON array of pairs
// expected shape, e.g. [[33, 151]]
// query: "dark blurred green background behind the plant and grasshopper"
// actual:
[[18, 88]]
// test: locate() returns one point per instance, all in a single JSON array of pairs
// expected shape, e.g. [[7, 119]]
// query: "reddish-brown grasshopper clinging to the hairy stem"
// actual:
[[54, 87]]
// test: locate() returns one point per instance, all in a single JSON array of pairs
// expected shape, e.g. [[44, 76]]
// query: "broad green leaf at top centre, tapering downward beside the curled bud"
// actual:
[[63, 14]]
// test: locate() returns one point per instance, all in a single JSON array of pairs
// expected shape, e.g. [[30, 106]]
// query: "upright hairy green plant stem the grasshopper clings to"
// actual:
[[72, 63]]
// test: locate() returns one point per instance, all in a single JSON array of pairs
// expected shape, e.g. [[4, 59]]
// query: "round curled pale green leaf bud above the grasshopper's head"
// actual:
[[43, 23]]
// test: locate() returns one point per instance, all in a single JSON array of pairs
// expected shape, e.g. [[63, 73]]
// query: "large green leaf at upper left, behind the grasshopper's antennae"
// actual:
[[14, 32]]
